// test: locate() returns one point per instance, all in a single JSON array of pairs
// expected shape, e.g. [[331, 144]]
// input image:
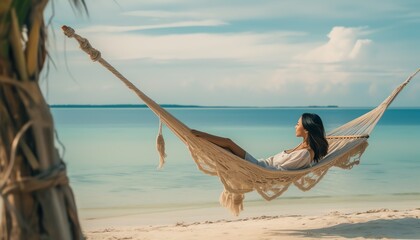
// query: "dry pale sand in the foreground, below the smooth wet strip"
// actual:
[[381, 223]]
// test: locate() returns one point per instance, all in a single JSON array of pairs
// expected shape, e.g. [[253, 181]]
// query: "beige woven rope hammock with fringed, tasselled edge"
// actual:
[[346, 145]]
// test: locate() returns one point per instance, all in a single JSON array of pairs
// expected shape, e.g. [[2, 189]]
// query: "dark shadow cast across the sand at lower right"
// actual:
[[405, 228]]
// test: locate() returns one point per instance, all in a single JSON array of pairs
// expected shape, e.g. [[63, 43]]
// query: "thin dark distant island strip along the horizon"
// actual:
[[175, 106]]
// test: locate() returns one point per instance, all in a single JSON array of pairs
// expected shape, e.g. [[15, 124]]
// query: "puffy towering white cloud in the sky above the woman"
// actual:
[[323, 69]]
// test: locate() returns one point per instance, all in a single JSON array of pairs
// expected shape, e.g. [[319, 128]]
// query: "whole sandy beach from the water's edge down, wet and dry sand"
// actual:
[[347, 221]]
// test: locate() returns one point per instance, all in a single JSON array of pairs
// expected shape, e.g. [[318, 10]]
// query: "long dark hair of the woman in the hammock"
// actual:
[[316, 134]]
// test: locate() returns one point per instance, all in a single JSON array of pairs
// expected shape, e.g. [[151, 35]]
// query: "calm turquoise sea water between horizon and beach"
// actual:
[[111, 156]]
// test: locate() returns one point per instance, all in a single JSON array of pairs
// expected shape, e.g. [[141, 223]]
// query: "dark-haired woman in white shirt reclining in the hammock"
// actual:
[[313, 147]]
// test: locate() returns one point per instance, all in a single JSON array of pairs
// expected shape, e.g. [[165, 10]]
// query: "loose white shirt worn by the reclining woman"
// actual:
[[288, 161]]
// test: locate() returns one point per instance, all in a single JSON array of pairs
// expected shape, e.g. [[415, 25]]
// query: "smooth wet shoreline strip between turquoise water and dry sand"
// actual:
[[289, 204]]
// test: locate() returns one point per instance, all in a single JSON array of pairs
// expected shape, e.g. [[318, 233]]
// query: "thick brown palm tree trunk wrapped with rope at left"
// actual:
[[38, 202]]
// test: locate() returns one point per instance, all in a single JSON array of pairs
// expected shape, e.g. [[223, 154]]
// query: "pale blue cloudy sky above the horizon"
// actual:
[[237, 53]]
